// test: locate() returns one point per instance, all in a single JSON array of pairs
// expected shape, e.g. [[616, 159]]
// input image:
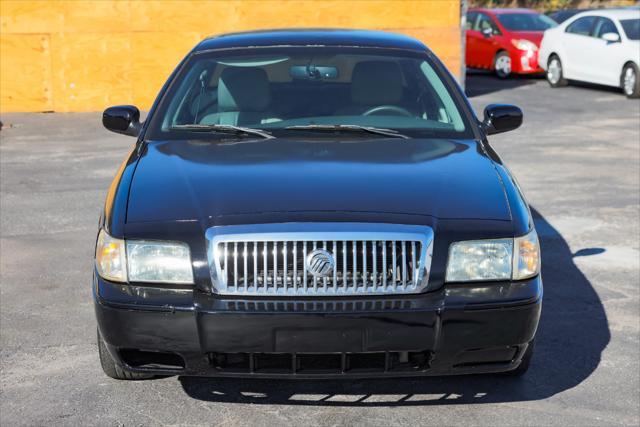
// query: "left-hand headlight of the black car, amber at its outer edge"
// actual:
[[144, 261]]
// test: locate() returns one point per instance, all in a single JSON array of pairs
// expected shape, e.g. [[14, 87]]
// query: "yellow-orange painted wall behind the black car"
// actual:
[[86, 55]]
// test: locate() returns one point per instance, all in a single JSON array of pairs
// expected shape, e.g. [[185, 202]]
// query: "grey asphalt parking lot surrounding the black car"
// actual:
[[577, 157]]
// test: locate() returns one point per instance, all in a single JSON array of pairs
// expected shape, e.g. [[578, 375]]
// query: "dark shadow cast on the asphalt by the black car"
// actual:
[[572, 334]]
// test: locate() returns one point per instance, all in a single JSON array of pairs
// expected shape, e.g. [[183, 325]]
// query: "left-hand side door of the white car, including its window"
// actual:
[[577, 44]]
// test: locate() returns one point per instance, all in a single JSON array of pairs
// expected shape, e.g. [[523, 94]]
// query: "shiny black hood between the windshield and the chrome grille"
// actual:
[[210, 180]]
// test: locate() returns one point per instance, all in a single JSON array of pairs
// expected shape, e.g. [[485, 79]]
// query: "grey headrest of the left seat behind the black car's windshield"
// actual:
[[243, 89]]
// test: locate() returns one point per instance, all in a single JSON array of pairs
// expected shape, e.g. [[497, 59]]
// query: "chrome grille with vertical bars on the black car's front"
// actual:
[[271, 259]]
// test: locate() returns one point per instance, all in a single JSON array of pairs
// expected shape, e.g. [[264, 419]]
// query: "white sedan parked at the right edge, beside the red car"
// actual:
[[598, 46]]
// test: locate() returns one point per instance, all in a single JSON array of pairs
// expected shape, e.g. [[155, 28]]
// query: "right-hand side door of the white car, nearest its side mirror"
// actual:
[[607, 55]]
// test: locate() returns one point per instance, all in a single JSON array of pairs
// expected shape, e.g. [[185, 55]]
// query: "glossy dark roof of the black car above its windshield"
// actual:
[[311, 37]]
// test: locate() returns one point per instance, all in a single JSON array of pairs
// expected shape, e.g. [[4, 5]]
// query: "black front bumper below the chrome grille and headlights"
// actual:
[[458, 329]]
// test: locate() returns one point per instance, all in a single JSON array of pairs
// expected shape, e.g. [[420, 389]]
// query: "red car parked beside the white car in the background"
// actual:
[[505, 40]]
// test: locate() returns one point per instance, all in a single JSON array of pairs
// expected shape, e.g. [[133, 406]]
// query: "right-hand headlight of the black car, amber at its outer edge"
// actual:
[[499, 259]]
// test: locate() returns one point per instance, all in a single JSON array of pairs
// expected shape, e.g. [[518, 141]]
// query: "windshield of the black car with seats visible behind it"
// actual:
[[285, 90]]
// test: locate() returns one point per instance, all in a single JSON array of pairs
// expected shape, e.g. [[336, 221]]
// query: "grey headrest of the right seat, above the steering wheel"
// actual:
[[376, 83]]
